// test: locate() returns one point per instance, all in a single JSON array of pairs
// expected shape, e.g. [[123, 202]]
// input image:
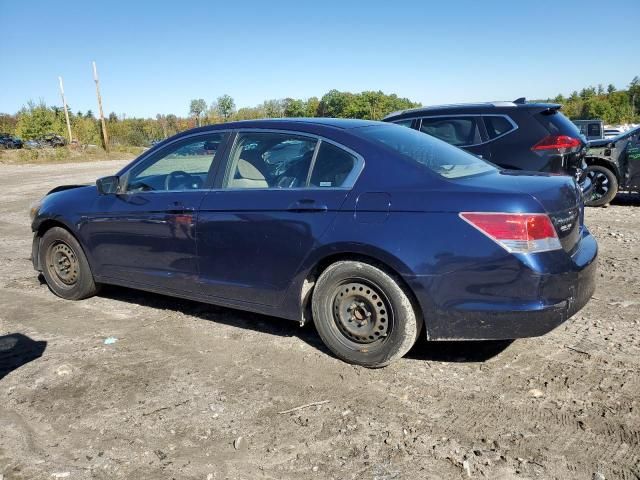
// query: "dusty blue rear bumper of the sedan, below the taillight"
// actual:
[[525, 304]]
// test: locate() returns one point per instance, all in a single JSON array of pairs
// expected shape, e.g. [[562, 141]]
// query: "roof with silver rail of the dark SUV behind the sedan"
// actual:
[[480, 107]]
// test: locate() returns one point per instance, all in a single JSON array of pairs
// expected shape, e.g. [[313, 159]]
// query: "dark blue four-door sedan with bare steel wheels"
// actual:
[[375, 231]]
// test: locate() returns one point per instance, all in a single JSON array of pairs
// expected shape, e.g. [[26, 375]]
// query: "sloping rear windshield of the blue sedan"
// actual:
[[438, 156]]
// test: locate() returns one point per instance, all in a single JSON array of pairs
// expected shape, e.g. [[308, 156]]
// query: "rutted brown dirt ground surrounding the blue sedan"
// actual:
[[196, 392]]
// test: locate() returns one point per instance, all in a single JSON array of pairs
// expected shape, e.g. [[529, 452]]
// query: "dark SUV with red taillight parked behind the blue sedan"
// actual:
[[514, 135]]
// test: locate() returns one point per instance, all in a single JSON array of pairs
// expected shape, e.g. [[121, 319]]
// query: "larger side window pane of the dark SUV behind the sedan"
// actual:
[[463, 131]]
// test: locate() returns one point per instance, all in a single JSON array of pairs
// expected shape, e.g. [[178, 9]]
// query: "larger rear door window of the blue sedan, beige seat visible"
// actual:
[[270, 160]]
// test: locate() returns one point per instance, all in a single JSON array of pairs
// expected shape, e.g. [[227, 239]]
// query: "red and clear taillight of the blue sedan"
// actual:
[[516, 232]]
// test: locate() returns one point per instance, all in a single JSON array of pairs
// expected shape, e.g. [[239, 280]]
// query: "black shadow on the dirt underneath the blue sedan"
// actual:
[[431, 351]]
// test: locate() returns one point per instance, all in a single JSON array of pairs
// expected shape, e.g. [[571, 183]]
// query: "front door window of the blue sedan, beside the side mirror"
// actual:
[[179, 167]]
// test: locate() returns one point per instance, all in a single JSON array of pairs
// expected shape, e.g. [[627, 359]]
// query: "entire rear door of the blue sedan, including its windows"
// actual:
[[279, 193]]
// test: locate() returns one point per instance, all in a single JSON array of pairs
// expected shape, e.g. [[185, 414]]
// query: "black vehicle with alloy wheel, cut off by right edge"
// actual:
[[613, 164]]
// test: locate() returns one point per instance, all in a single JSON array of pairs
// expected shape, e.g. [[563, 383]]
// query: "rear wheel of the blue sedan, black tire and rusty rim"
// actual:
[[363, 315]]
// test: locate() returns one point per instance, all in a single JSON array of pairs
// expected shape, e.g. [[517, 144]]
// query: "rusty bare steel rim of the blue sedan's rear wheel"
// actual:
[[362, 313]]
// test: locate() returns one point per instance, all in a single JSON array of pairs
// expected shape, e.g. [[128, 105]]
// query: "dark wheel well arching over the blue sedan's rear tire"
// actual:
[[322, 265]]
